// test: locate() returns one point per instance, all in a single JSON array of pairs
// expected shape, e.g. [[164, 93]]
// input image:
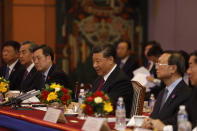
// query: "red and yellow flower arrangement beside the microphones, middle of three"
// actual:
[[55, 93]]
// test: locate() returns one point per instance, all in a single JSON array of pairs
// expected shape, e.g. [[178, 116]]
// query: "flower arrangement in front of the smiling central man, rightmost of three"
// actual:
[[97, 104]]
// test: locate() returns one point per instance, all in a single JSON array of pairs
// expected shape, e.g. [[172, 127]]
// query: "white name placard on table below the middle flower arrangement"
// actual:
[[54, 115]]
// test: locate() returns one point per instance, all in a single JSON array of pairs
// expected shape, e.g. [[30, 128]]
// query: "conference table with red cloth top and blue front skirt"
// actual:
[[30, 119]]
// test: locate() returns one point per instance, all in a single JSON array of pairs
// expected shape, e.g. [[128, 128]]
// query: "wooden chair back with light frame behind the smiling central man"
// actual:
[[138, 98]]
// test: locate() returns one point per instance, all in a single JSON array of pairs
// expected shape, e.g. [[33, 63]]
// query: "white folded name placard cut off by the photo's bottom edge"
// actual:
[[95, 124]]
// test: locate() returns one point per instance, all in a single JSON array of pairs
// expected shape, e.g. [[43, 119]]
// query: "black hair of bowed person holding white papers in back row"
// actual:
[[155, 50]]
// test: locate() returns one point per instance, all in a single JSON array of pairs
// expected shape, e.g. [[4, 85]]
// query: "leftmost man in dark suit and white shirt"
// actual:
[[12, 70]]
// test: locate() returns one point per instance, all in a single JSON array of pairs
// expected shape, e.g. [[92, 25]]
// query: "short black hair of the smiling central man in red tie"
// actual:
[[107, 49]]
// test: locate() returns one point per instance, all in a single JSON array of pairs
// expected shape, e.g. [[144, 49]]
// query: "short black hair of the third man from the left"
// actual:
[[47, 51]]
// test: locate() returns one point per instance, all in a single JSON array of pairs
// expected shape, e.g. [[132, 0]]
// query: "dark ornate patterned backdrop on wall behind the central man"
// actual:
[[82, 24]]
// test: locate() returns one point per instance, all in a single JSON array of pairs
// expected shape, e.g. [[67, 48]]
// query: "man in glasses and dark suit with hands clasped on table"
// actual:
[[170, 68]]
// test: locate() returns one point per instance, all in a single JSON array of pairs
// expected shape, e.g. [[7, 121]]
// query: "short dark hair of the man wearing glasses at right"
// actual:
[[177, 59]]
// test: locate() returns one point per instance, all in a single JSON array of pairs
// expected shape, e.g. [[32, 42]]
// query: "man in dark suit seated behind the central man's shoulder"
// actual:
[[126, 61]]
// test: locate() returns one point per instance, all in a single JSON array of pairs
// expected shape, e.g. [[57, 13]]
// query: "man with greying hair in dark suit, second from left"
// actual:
[[32, 78]]
